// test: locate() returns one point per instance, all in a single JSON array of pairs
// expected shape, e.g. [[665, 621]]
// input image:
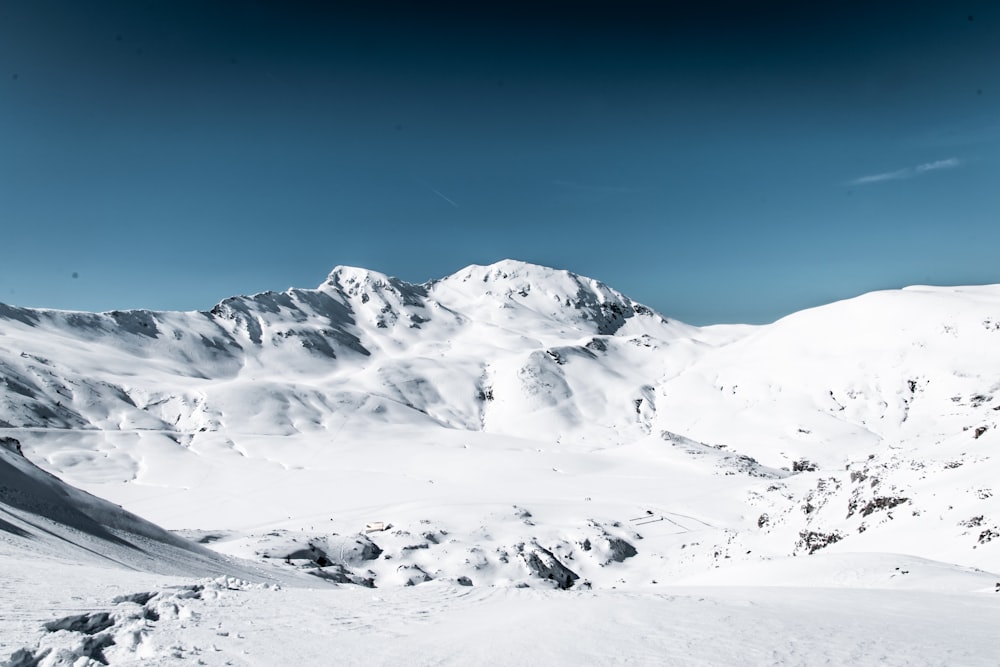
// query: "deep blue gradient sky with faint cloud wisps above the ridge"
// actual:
[[718, 161]]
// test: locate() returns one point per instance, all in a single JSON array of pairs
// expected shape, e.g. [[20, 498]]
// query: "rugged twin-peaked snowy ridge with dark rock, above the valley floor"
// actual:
[[468, 352]]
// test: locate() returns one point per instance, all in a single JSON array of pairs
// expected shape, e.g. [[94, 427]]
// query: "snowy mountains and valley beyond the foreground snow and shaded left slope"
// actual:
[[514, 425]]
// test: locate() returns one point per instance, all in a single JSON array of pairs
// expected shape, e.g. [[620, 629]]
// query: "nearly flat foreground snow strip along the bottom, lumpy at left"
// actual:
[[227, 622]]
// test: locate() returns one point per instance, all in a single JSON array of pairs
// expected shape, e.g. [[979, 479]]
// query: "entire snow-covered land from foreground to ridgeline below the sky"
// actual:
[[562, 475]]
